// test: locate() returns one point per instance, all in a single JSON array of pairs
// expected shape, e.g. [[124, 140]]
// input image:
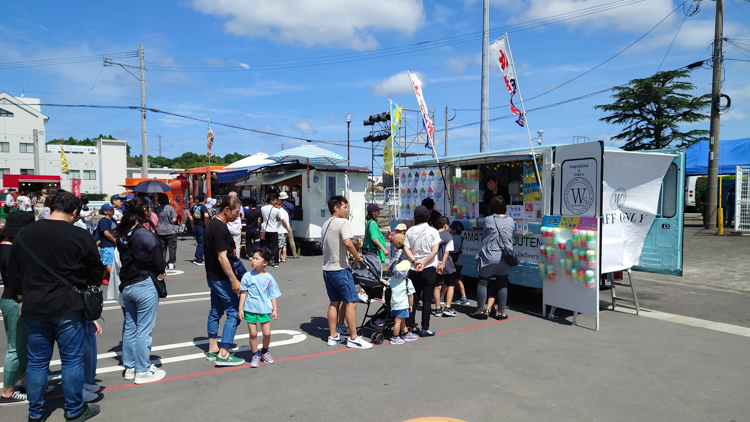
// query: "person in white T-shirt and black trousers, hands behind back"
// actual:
[[421, 247]]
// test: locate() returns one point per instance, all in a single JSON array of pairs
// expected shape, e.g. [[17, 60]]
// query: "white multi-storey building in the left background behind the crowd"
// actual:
[[23, 150]]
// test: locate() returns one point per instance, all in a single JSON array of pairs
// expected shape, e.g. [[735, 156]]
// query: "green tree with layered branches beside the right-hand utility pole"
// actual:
[[653, 108]]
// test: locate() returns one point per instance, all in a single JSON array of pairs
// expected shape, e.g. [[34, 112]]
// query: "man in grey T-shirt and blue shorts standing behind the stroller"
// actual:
[[336, 241]]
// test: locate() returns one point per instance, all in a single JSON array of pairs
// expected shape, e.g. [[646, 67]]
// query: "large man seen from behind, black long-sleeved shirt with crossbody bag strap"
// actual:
[[52, 311]]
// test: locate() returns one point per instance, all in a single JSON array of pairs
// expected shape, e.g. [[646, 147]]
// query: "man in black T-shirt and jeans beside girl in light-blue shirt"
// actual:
[[225, 287]]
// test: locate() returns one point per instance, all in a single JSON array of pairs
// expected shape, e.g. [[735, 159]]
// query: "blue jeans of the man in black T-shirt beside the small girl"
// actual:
[[223, 300]]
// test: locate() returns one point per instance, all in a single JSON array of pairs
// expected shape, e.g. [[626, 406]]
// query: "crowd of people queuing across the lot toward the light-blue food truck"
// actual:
[[46, 262]]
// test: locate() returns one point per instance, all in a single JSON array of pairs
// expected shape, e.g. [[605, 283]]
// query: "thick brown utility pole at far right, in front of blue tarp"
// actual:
[[713, 155]]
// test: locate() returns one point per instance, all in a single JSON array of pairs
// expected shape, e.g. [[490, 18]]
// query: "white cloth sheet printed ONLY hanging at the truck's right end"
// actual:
[[632, 182]]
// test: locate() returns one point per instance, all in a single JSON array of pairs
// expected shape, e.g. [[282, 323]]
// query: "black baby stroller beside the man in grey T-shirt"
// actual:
[[368, 275]]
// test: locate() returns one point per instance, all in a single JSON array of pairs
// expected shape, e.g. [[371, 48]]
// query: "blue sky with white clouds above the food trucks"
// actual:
[[231, 61]]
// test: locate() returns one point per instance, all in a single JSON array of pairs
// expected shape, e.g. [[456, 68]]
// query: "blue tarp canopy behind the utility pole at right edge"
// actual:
[[732, 153]]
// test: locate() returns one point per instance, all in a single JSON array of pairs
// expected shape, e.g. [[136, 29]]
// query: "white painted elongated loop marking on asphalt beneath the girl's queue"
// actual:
[[296, 337]]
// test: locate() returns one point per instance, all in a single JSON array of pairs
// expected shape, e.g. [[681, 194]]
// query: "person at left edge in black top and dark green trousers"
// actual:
[[15, 332]]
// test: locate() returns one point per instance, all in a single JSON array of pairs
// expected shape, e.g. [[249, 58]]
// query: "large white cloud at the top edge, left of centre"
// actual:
[[346, 23]]
